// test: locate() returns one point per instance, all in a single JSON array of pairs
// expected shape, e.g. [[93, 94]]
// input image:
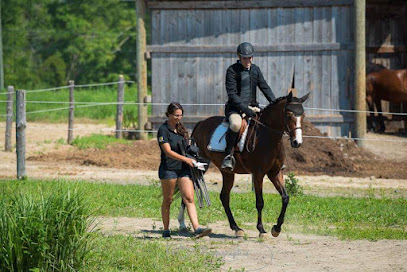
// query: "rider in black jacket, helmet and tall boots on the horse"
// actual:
[[241, 81]]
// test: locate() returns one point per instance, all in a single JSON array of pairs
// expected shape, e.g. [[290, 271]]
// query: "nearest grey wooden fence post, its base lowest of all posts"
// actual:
[[20, 133]]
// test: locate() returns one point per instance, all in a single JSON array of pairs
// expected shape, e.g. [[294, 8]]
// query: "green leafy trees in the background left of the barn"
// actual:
[[48, 42]]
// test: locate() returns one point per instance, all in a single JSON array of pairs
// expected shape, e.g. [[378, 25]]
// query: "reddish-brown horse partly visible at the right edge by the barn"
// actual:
[[384, 84]]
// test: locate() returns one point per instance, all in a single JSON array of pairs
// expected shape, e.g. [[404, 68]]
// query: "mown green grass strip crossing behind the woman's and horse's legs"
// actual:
[[344, 217]]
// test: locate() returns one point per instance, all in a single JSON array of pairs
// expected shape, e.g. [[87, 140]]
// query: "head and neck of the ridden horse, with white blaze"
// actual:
[[286, 114]]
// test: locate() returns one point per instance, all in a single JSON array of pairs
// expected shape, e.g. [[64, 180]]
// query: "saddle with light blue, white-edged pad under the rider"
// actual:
[[217, 141]]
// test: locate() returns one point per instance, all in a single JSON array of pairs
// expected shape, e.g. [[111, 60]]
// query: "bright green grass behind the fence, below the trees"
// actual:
[[100, 113]]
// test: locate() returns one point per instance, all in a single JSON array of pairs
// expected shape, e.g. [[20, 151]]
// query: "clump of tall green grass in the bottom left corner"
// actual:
[[45, 231]]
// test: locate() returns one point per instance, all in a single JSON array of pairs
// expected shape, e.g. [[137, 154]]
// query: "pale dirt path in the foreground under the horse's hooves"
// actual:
[[288, 252]]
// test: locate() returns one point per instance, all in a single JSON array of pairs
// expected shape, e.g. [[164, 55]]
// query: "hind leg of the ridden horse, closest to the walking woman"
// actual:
[[228, 180]]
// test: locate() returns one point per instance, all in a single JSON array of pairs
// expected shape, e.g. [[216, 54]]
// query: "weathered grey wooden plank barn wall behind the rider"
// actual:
[[315, 43]]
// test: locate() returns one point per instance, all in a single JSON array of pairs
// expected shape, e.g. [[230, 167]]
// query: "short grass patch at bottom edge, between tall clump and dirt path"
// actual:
[[127, 253]]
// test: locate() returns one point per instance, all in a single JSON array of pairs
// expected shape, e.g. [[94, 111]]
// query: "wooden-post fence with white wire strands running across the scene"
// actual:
[[21, 116]]
